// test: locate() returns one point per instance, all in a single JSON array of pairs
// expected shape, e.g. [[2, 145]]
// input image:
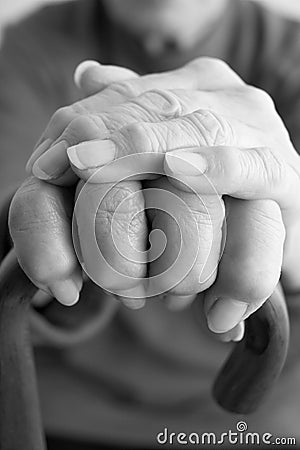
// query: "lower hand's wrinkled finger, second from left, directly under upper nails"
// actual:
[[113, 232]]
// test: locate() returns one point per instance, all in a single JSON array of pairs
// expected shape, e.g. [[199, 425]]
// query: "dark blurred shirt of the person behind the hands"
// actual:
[[149, 369]]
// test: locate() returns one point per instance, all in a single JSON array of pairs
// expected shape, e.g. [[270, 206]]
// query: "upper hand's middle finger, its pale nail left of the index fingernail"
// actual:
[[148, 142]]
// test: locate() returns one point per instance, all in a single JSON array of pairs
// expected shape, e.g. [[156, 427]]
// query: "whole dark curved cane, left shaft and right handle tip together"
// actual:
[[246, 377]]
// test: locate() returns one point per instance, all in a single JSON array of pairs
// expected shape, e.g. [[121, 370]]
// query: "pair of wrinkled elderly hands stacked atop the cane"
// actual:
[[204, 106]]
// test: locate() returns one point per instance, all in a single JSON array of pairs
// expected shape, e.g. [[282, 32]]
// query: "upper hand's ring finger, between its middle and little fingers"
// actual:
[[153, 105]]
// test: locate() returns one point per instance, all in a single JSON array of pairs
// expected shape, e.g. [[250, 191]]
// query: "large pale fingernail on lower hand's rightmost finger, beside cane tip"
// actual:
[[225, 314]]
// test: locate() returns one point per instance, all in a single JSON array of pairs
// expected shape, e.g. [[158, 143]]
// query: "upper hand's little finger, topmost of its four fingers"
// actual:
[[202, 73]]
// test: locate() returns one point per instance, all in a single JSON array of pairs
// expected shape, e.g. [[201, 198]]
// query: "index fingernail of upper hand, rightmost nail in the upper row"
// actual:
[[183, 162]]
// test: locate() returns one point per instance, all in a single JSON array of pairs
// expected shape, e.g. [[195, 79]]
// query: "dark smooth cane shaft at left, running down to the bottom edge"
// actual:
[[20, 425]]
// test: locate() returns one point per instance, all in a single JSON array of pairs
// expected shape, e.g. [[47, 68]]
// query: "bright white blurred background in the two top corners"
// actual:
[[11, 10]]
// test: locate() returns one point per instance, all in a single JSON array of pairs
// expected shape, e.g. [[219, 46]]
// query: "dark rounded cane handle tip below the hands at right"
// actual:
[[256, 362]]
